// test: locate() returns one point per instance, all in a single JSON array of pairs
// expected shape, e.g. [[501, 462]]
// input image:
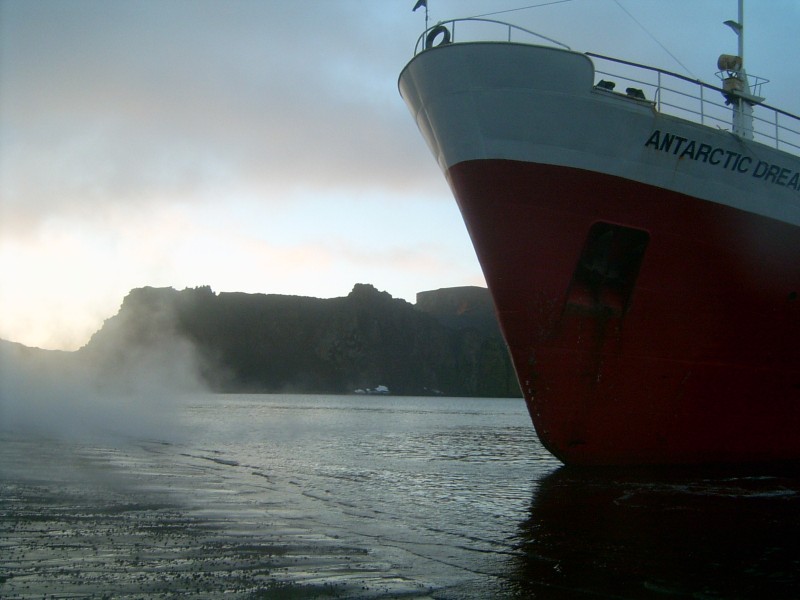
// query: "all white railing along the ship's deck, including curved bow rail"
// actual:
[[669, 92]]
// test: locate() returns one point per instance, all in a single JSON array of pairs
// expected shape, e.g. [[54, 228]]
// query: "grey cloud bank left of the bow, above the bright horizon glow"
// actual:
[[108, 103]]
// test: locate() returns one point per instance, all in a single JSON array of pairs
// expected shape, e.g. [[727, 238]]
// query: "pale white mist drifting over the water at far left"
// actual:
[[132, 394]]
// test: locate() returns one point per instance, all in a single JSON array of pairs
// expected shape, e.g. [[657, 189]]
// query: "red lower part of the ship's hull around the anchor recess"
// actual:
[[697, 360]]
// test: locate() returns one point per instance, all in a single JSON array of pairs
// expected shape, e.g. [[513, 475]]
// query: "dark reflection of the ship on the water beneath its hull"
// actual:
[[677, 533]]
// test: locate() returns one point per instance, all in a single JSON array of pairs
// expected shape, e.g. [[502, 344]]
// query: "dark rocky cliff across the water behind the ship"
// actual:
[[448, 344]]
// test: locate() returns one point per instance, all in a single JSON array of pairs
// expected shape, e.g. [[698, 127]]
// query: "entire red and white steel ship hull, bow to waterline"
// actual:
[[648, 288]]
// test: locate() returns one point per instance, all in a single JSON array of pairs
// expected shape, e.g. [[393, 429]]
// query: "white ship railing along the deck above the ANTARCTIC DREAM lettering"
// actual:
[[695, 100]]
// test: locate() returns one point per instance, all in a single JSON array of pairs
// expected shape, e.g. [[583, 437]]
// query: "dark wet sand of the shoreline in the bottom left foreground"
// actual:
[[72, 525]]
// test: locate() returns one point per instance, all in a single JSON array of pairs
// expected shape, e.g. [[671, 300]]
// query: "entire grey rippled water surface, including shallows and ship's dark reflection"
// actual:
[[283, 496]]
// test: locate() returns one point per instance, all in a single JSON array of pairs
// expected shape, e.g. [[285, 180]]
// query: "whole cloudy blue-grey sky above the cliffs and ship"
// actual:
[[261, 146]]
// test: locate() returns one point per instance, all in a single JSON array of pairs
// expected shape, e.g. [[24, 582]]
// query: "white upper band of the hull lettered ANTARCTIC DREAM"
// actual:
[[538, 104]]
